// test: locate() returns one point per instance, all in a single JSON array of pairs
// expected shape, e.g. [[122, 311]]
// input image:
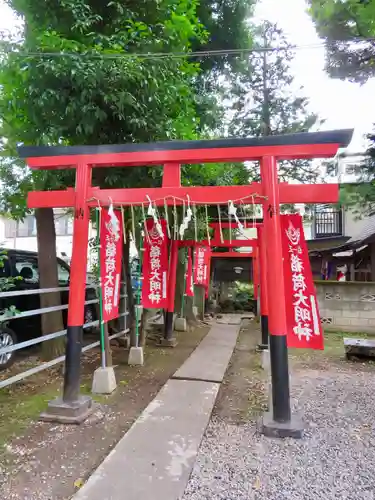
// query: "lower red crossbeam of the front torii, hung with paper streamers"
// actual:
[[210, 195]]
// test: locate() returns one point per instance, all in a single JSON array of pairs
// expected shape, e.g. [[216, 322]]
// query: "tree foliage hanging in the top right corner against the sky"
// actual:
[[348, 27]]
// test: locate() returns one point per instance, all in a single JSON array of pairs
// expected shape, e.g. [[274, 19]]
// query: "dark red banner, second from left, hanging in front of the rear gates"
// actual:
[[155, 267]]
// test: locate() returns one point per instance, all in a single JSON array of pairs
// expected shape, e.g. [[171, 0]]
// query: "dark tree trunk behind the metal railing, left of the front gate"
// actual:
[[47, 260]]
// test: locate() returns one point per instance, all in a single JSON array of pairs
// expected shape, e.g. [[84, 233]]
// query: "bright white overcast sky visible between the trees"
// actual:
[[342, 104]]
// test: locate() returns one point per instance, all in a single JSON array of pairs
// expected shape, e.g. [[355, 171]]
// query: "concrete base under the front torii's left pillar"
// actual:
[[62, 412]]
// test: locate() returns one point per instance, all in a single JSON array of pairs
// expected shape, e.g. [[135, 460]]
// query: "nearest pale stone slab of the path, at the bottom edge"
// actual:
[[153, 461]]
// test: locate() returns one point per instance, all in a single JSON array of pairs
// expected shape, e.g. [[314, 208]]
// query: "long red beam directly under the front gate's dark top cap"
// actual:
[[233, 154]]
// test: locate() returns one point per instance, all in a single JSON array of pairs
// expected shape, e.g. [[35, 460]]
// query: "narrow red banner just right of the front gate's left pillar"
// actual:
[[110, 262]]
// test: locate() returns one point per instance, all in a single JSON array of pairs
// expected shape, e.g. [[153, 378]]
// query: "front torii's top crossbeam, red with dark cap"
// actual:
[[282, 147]]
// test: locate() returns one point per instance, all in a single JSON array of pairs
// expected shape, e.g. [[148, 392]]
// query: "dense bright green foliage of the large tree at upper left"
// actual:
[[80, 84]]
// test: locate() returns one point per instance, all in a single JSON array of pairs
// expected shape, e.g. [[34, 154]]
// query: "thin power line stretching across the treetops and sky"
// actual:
[[179, 55]]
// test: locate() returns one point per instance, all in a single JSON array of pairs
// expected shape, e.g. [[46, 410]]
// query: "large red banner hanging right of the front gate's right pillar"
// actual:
[[302, 313]]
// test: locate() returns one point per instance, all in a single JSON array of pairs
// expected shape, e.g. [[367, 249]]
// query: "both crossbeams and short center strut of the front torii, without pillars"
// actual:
[[172, 154]]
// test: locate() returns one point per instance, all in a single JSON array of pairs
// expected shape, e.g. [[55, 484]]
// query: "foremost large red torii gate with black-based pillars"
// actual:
[[268, 150]]
